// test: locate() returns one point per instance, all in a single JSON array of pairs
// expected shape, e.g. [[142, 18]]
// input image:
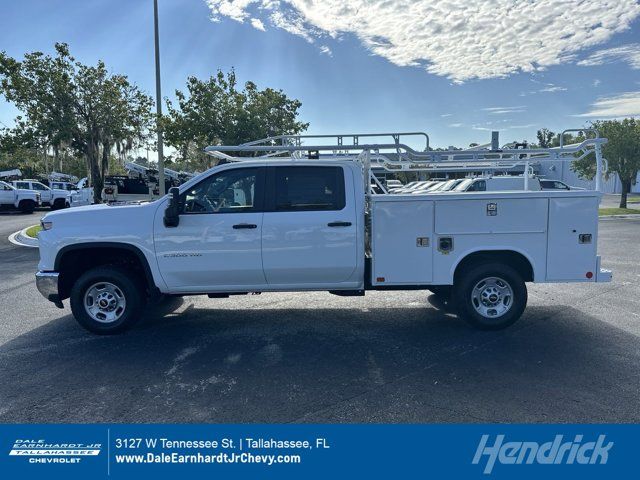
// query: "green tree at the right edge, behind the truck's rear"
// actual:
[[622, 152]]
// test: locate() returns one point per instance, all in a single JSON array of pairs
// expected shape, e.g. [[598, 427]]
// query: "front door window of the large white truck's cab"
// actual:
[[230, 191]]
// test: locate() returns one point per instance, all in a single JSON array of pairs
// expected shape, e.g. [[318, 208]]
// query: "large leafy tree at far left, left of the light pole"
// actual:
[[70, 105]]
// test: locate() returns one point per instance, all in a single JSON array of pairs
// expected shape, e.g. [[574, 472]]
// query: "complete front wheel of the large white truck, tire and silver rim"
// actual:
[[107, 300]]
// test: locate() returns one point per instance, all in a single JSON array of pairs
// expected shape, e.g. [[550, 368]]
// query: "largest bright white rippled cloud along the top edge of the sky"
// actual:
[[458, 39]]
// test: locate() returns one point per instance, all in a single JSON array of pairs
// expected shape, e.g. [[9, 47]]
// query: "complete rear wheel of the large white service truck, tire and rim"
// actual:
[[497, 296]]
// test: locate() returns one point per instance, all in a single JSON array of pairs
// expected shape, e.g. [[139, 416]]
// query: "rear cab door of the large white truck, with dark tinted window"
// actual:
[[309, 231]]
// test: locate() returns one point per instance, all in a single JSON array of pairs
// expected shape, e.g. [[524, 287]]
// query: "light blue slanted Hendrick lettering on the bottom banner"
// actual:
[[549, 453]]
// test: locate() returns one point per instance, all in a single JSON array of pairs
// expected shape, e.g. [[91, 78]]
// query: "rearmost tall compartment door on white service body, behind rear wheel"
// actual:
[[571, 254]]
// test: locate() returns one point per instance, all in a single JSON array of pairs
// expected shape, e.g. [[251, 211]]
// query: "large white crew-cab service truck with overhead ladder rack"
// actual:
[[305, 223]]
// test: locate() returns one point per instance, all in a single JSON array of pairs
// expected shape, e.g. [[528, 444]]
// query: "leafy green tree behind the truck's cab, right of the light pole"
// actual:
[[215, 111]]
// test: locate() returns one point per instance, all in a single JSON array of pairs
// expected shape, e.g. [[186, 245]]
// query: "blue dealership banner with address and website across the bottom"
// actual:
[[317, 451]]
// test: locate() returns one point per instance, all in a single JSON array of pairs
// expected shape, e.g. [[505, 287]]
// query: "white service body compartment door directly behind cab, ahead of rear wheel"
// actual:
[[402, 247]]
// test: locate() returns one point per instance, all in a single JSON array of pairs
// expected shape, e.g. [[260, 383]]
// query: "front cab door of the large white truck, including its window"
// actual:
[[217, 244]]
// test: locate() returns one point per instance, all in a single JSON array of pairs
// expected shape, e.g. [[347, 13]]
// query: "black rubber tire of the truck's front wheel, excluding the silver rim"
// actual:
[[128, 287]]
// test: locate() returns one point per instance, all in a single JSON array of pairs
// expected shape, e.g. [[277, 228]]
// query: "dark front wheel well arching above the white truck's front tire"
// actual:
[[75, 261]]
